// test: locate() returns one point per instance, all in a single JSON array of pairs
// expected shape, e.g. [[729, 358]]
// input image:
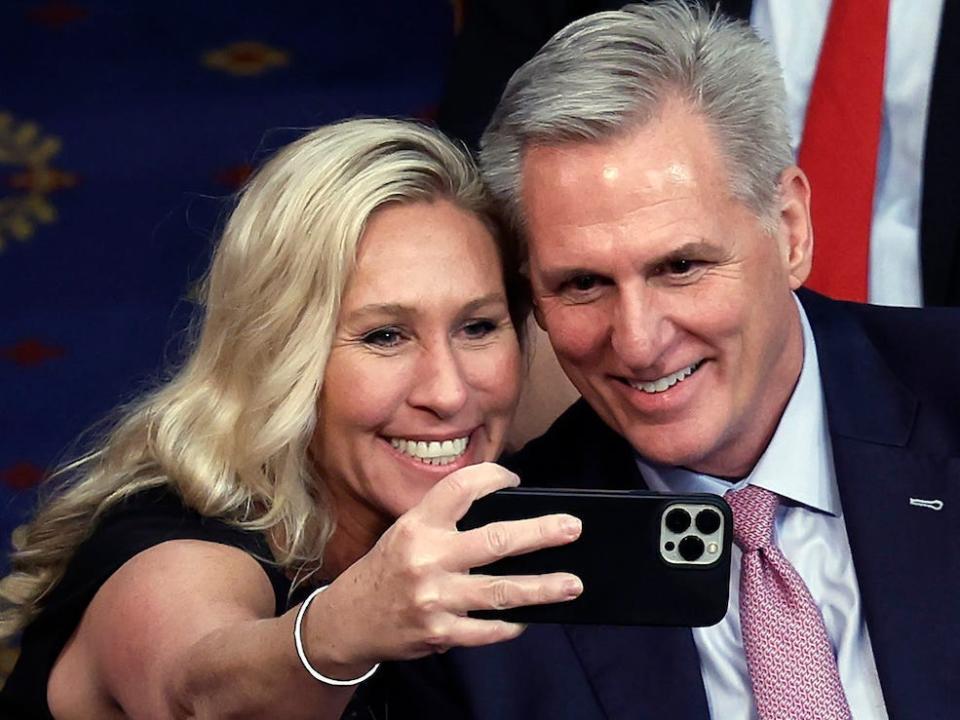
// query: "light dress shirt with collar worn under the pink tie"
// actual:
[[809, 529]]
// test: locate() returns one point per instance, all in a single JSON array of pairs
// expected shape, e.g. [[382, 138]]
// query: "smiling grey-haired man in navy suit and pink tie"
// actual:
[[644, 155]]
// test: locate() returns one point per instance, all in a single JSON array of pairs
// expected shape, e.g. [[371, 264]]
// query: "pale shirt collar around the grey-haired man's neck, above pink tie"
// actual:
[[797, 463]]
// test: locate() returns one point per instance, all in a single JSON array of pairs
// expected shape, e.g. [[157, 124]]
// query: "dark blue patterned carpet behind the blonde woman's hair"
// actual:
[[124, 127]]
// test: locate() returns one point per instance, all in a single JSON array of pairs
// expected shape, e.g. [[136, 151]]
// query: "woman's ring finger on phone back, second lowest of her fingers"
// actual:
[[492, 592]]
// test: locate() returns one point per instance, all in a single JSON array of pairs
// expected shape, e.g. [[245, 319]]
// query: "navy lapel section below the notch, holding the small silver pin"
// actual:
[[906, 564]]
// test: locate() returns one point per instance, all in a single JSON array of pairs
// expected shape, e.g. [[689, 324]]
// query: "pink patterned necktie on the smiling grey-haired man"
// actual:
[[792, 667]]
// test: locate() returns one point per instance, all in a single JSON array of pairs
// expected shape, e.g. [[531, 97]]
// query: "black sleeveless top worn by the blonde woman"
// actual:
[[150, 518]]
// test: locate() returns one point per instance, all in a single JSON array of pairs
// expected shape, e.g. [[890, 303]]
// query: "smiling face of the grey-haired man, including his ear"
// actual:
[[667, 303]]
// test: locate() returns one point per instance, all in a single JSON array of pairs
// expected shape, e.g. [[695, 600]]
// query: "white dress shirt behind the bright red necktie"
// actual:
[[795, 29]]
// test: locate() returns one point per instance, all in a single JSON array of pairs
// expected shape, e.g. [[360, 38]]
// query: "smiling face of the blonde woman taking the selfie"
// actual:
[[424, 371]]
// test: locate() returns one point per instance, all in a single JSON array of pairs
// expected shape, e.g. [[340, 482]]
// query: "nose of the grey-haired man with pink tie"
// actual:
[[639, 331]]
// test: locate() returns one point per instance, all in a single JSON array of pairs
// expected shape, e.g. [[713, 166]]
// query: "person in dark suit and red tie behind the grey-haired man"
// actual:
[[914, 247]]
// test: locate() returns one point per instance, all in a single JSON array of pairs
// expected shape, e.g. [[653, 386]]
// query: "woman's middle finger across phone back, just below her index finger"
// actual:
[[491, 542]]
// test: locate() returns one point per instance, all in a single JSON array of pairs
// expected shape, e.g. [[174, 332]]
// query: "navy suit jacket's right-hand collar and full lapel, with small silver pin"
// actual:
[[905, 556]]
